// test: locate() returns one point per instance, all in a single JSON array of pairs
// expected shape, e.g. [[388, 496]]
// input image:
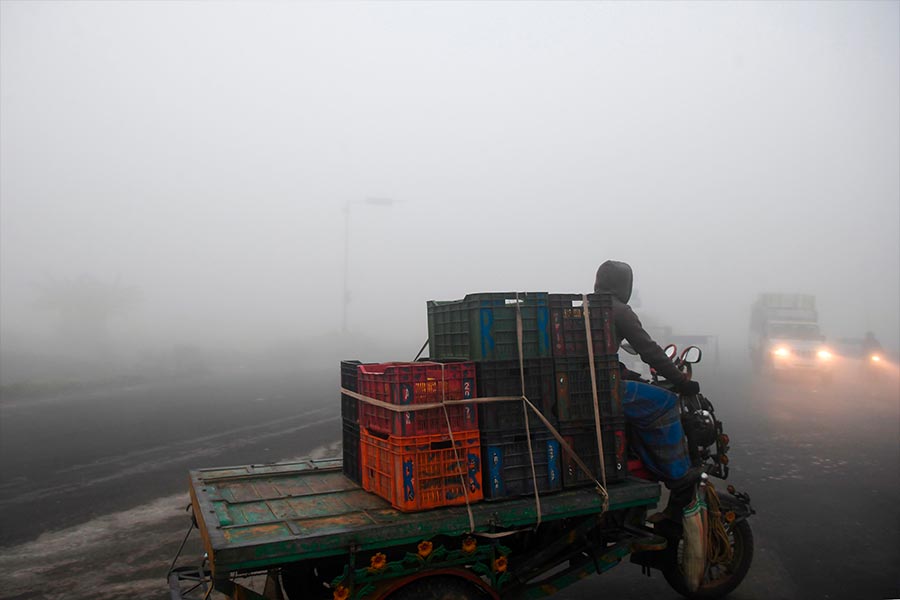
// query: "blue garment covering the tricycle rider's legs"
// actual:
[[652, 413]]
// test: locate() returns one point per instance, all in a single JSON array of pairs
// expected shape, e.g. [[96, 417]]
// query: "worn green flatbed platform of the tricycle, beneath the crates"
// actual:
[[258, 516]]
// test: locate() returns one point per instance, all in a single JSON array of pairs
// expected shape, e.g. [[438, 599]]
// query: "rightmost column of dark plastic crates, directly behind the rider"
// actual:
[[574, 394]]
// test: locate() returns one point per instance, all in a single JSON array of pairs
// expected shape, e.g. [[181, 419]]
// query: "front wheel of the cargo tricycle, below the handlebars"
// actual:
[[720, 579]]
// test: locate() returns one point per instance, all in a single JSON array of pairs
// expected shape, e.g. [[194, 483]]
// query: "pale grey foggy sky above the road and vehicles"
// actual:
[[204, 152]]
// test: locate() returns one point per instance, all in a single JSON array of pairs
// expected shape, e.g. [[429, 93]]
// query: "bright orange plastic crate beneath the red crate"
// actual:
[[421, 472]]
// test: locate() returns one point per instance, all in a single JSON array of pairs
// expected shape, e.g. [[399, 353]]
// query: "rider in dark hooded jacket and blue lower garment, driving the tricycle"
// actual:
[[651, 411]]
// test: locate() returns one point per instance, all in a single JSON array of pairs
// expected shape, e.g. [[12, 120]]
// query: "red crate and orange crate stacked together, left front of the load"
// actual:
[[413, 458]]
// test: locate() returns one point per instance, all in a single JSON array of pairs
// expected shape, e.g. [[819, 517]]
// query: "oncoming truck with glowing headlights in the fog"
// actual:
[[785, 335]]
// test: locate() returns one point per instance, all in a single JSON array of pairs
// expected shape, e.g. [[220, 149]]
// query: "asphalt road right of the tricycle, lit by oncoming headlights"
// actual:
[[822, 465]]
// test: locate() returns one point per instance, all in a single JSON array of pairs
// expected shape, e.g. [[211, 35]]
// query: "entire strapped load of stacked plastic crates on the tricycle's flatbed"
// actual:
[[462, 452]]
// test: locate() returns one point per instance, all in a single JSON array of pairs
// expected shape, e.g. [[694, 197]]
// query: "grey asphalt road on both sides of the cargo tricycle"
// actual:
[[93, 486]]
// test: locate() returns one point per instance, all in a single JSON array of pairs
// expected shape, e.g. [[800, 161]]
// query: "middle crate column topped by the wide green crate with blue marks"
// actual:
[[483, 328]]
